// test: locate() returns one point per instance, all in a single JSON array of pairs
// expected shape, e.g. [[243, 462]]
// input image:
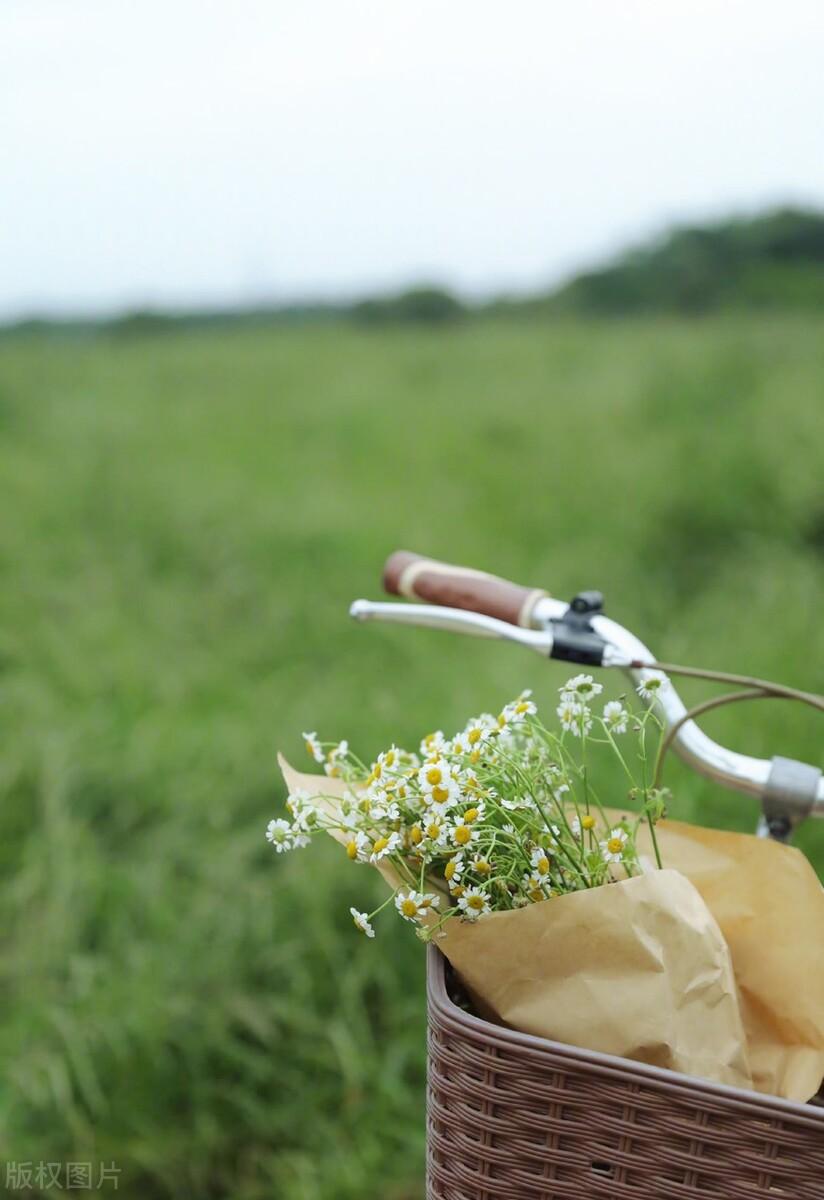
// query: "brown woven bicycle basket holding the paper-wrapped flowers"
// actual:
[[519, 1118]]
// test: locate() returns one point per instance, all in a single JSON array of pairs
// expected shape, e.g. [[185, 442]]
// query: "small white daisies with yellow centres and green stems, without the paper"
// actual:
[[500, 817]]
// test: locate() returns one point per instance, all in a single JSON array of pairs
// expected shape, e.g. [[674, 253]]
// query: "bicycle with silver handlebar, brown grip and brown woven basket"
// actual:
[[518, 1118]]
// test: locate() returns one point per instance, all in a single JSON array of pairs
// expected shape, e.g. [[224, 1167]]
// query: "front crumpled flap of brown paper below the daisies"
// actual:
[[639, 969]]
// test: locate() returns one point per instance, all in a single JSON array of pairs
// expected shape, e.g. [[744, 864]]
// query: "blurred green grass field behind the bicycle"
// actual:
[[187, 519]]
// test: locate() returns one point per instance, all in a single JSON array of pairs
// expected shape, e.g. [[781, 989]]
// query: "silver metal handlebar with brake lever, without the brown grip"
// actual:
[[790, 791]]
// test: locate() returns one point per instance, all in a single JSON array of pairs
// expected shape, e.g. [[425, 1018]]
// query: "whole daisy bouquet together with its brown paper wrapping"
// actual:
[[550, 898]]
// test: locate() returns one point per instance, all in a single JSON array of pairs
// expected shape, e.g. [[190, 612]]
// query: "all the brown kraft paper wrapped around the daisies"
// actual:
[[714, 967]]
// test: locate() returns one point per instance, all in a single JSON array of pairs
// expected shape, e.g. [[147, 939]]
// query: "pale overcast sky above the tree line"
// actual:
[[189, 153]]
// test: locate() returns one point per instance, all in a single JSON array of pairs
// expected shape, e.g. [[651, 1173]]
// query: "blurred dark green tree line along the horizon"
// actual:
[[772, 261]]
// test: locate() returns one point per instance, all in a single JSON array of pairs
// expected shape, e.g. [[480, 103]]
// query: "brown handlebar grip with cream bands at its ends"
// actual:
[[460, 587]]
